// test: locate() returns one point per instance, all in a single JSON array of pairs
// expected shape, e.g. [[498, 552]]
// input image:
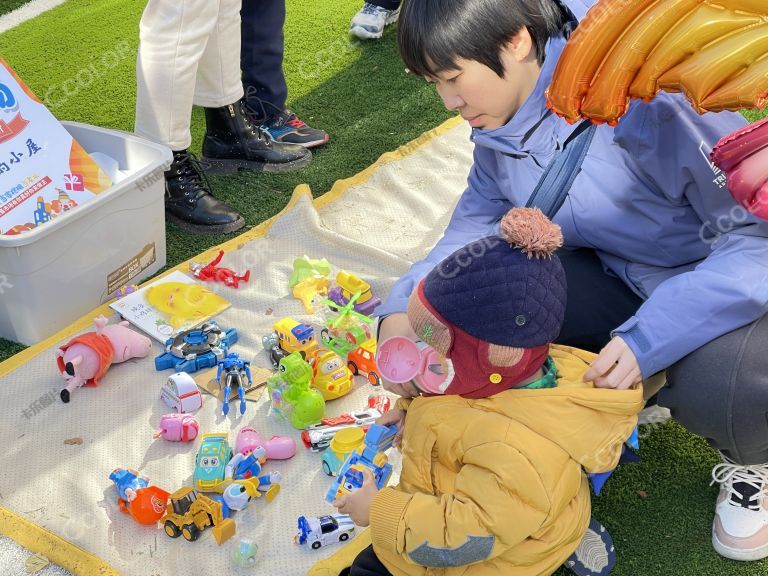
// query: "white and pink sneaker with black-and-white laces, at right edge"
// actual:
[[740, 529]]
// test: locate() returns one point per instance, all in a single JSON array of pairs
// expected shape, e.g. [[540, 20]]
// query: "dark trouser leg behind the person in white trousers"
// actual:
[[261, 55]]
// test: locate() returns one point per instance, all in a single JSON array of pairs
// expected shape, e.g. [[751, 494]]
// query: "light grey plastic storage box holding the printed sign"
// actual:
[[51, 276]]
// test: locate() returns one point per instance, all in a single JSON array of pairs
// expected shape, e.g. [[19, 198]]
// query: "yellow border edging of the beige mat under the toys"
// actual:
[[72, 557]]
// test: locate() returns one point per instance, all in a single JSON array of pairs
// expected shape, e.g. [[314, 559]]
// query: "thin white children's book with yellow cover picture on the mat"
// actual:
[[170, 305]]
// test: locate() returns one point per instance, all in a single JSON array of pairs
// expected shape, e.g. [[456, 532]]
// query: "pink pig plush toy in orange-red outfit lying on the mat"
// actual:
[[85, 359]]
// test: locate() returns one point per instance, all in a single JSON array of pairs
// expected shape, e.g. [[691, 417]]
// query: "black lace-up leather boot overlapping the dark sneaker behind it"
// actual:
[[232, 141]]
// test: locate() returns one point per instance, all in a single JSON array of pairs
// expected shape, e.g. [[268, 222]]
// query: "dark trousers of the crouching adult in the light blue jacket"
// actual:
[[719, 391]]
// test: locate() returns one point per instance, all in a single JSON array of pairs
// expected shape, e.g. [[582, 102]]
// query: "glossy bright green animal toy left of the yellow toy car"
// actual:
[[291, 395]]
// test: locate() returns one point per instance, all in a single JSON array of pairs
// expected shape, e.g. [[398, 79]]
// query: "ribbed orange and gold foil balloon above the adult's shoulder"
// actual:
[[715, 51]]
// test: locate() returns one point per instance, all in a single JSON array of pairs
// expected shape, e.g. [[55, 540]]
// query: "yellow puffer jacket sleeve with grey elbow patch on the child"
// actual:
[[498, 501]]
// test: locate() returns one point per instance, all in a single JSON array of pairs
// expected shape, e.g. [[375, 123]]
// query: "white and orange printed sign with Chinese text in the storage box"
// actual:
[[44, 172]]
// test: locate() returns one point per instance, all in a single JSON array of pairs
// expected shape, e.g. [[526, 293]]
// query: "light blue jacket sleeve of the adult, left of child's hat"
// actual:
[[476, 215]]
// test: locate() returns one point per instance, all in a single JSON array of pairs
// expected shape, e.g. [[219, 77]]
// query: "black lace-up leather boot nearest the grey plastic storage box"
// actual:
[[189, 203]]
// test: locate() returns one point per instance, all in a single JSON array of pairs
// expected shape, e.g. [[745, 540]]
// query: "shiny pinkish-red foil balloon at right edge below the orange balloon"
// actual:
[[743, 156]]
